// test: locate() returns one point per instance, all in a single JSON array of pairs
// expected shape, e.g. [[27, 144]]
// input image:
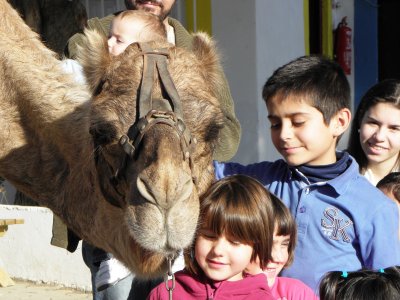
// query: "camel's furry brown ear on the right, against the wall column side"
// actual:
[[206, 51]]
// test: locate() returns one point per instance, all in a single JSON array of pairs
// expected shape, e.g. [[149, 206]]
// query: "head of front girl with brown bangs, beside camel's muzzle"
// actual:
[[235, 228]]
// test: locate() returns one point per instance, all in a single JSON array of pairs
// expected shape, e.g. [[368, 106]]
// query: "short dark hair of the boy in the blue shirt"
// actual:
[[321, 80]]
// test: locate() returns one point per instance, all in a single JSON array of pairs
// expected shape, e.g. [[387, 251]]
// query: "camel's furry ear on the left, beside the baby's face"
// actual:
[[94, 57]]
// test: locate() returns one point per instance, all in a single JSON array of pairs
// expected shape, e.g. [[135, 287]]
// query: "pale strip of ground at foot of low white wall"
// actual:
[[23, 290]]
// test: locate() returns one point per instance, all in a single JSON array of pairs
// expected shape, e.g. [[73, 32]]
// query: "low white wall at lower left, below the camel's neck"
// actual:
[[26, 253]]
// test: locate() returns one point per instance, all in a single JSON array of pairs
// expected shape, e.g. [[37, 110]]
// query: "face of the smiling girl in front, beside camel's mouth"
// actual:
[[220, 257]]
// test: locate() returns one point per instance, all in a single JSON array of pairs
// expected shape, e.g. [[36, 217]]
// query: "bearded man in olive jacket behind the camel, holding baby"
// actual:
[[225, 150]]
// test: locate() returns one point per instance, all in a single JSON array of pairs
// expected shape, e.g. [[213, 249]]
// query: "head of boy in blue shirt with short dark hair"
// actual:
[[308, 102]]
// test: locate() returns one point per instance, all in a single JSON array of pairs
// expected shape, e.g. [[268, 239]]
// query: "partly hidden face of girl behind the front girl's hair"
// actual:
[[280, 256]]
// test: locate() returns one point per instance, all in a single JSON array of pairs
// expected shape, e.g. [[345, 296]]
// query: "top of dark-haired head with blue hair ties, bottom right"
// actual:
[[383, 284]]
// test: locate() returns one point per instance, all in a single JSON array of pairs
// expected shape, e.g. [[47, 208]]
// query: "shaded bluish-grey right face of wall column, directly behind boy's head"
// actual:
[[280, 38]]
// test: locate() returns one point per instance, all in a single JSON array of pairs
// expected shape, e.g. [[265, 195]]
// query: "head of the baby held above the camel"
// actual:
[[132, 26]]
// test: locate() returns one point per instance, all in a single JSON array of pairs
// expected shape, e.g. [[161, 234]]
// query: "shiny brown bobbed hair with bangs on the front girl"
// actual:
[[240, 207]]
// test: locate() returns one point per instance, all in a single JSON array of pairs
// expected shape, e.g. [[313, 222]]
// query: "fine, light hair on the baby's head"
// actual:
[[153, 28]]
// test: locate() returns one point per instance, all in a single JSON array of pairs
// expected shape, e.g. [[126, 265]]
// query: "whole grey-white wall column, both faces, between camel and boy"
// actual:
[[256, 37]]
